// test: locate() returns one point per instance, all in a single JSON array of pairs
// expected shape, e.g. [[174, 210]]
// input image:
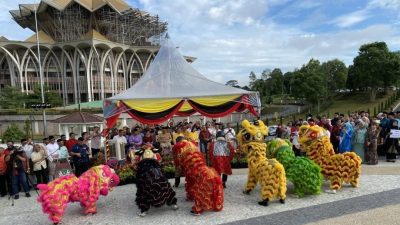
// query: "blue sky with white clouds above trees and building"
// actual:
[[232, 38]]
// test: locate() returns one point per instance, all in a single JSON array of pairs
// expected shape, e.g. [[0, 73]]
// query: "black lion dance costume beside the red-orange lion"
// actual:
[[153, 188]]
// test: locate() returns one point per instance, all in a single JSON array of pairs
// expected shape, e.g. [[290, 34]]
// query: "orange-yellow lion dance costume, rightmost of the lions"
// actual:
[[338, 168]]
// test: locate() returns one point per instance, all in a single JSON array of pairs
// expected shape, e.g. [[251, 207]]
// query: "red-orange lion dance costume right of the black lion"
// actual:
[[203, 183]]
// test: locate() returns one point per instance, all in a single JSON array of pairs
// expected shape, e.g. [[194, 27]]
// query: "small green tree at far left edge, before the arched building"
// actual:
[[11, 98]]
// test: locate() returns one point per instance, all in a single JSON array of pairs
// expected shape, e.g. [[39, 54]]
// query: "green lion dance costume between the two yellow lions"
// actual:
[[301, 171]]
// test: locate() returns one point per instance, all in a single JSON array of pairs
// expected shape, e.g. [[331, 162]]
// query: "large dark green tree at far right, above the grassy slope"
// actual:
[[374, 67]]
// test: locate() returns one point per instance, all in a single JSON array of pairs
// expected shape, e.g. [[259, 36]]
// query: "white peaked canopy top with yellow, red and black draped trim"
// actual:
[[171, 86]]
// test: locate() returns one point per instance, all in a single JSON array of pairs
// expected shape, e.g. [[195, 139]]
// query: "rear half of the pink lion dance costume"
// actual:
[[55, 196]]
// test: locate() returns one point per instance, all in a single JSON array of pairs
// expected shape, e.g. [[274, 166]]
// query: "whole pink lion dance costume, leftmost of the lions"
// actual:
[[86, 189]]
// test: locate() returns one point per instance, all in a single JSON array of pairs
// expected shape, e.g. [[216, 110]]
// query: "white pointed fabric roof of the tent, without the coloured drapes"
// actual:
[[171, 76]]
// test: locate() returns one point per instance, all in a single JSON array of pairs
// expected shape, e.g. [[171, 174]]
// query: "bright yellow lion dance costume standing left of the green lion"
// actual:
[[268, 172]]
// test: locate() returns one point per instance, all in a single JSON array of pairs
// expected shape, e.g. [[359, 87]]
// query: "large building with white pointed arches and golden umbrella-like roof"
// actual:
[[89, 49]]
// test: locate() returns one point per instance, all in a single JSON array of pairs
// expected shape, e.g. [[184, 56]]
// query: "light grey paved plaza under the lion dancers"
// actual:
[[376, 201]]
